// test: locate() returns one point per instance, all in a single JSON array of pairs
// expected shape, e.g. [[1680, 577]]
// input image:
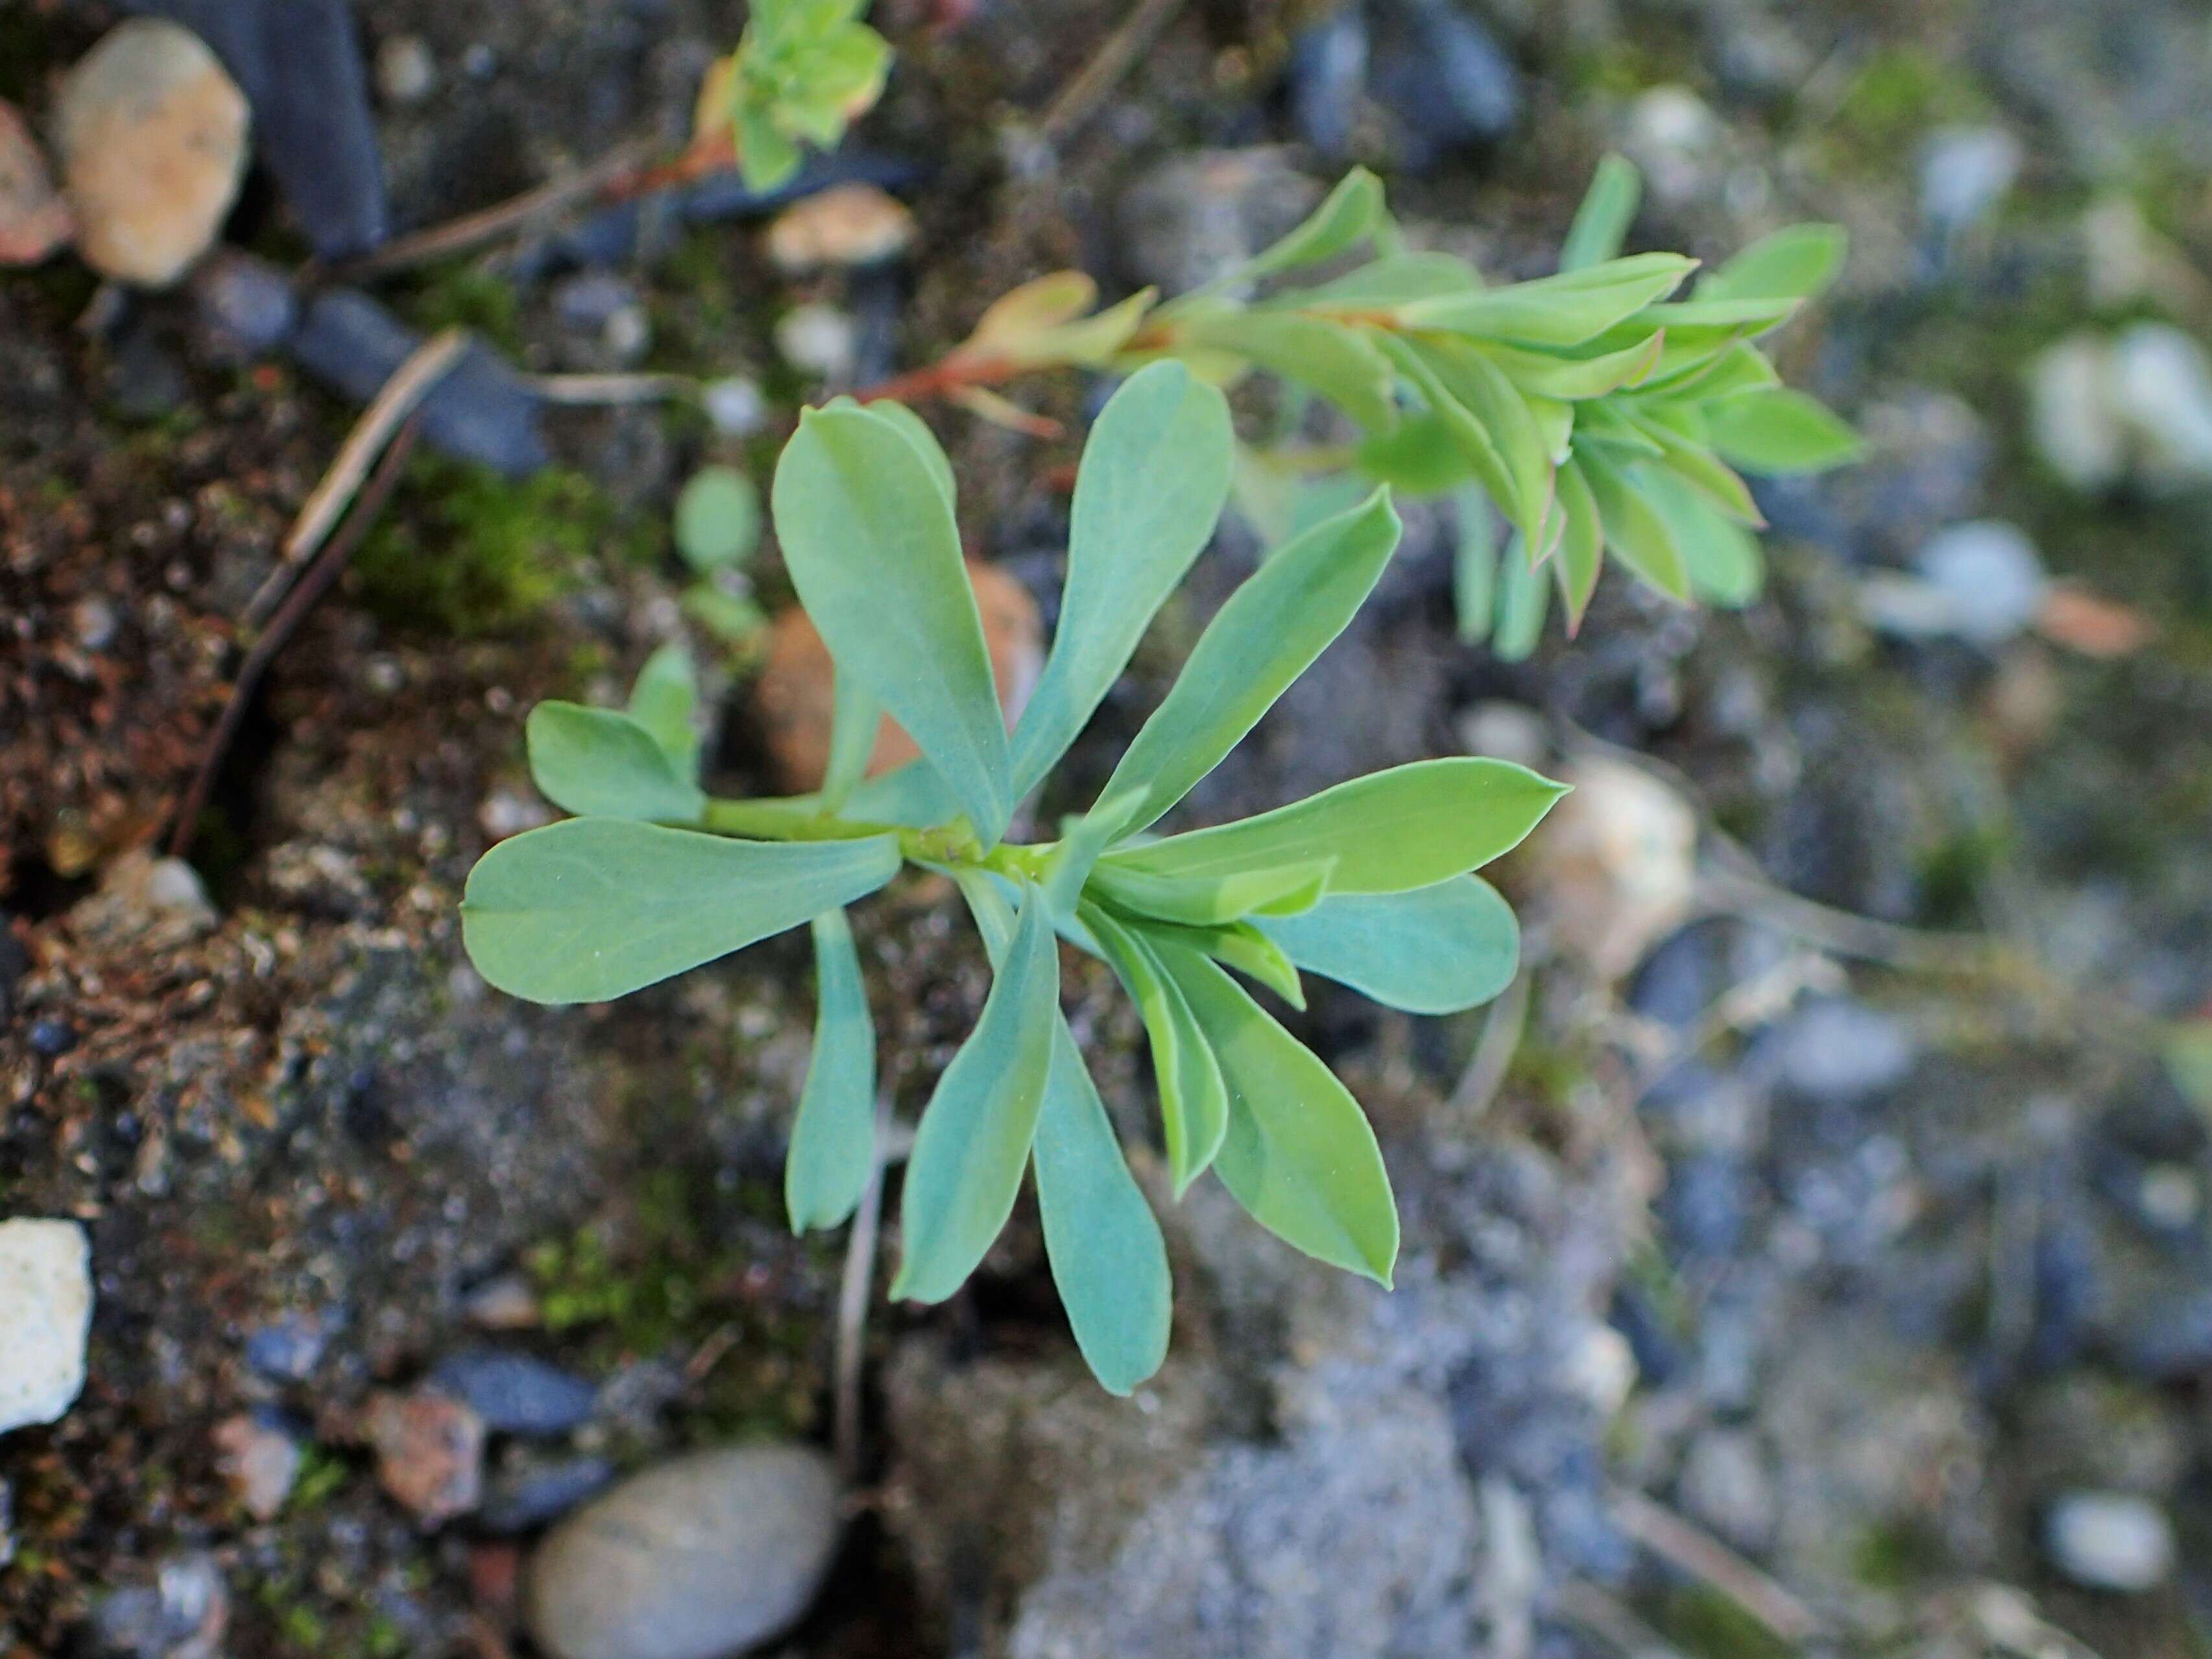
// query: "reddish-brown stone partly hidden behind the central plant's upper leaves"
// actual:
[[797, 685]]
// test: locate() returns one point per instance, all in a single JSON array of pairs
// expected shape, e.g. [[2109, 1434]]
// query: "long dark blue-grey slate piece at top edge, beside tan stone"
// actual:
[[300, 63]]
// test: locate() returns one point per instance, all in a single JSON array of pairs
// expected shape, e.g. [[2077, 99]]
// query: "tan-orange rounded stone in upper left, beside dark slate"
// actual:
[[152, 136]]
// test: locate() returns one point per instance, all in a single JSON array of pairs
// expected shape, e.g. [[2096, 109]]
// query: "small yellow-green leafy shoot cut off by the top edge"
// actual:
[[802, 72]]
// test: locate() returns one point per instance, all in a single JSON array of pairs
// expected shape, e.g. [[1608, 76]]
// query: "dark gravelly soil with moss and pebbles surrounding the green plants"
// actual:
[[1806, 1258]]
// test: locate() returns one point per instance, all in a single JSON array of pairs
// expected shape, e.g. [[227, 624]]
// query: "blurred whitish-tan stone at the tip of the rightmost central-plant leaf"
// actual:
[[1614, 866]]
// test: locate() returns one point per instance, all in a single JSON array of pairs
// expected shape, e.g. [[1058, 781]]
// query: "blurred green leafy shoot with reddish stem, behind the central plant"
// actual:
[[1594, 410]]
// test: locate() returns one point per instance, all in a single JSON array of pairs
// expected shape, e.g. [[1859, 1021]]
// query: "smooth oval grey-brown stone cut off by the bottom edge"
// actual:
[[698, 1558]]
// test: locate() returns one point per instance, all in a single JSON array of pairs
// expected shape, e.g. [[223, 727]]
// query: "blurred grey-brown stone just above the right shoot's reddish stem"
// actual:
[[1200, 216]]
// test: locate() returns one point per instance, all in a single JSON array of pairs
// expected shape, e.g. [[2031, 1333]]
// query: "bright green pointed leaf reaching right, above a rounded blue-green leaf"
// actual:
[[1388, 833]]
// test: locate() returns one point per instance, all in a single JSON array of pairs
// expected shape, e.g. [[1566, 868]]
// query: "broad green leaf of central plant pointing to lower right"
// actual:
[[1300, 1154]]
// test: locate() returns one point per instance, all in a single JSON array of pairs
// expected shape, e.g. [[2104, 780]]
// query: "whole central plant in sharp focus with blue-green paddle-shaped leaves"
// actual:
[[1366, 884]]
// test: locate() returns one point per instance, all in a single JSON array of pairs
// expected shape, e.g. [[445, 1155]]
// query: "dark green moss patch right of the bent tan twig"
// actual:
[[481, 554]]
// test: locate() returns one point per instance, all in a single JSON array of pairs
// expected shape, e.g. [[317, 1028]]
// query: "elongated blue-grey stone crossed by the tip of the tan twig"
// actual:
[[481, 410]]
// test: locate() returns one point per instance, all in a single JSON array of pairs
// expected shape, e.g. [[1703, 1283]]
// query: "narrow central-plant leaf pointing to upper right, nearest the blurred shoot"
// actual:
[[1262, 640]]
